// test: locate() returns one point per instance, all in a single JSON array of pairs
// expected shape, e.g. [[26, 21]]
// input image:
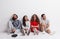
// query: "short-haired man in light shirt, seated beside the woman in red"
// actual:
[[45, 24]]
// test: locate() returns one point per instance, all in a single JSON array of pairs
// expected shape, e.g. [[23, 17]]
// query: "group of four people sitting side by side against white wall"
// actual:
[[34, 25]]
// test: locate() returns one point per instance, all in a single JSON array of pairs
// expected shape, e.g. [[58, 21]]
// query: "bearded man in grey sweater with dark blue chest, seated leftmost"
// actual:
[[14, 24]]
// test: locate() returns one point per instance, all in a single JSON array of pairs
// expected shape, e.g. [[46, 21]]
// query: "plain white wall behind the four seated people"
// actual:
[[28, 7]]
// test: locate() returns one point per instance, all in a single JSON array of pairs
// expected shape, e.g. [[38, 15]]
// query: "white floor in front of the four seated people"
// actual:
[[31, 36]]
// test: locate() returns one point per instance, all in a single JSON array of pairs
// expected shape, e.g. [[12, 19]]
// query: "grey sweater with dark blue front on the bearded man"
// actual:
[[15, 24]]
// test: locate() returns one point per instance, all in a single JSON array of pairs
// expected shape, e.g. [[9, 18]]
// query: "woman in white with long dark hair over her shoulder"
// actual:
[[26, 25]]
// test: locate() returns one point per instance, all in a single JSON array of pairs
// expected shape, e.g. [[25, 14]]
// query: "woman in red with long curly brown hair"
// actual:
[[35, 24]]
